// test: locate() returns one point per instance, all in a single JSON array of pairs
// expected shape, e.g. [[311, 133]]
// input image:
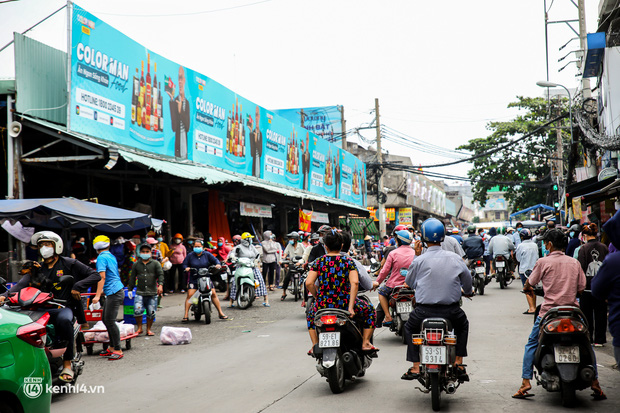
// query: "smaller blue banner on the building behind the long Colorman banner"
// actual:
[[323, 121]]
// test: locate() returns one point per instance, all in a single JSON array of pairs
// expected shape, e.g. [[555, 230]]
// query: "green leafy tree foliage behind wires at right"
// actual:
[[523, 163]]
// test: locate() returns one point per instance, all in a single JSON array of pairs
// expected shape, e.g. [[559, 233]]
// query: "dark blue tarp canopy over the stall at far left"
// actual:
[[65, 213]]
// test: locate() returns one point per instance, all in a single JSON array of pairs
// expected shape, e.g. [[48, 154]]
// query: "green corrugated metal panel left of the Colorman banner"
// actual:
[[41, 80]]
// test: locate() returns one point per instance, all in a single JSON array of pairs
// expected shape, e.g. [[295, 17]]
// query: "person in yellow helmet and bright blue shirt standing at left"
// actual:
[[111, 285]]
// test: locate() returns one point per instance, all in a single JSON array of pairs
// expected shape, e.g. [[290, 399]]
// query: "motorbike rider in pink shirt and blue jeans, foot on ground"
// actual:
[[563, 280]]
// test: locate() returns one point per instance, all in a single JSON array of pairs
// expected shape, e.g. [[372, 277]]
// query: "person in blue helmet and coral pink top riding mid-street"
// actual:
[[395, 268]]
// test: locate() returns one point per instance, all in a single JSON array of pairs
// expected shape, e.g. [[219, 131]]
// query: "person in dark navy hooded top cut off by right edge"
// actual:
[[606, 284]]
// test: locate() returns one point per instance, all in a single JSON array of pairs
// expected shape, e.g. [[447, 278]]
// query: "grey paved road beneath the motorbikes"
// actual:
[[266, 370]]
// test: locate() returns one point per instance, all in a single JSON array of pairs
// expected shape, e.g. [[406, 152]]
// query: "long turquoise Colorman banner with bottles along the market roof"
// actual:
[[124, 93]]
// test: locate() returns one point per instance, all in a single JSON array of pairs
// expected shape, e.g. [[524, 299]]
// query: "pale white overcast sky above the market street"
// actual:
[[441, 70]]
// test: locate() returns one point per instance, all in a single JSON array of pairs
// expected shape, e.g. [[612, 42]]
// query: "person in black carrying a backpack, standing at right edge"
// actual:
[[591, 256]]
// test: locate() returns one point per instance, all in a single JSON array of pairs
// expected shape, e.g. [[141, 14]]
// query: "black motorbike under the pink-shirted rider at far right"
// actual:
[[564, 358]]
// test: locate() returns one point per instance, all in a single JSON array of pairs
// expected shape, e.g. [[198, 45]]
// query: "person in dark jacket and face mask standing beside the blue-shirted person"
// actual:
[[147, 276]]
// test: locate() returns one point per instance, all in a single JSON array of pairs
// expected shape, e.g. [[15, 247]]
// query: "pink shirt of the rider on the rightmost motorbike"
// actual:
[[561, 276]]
